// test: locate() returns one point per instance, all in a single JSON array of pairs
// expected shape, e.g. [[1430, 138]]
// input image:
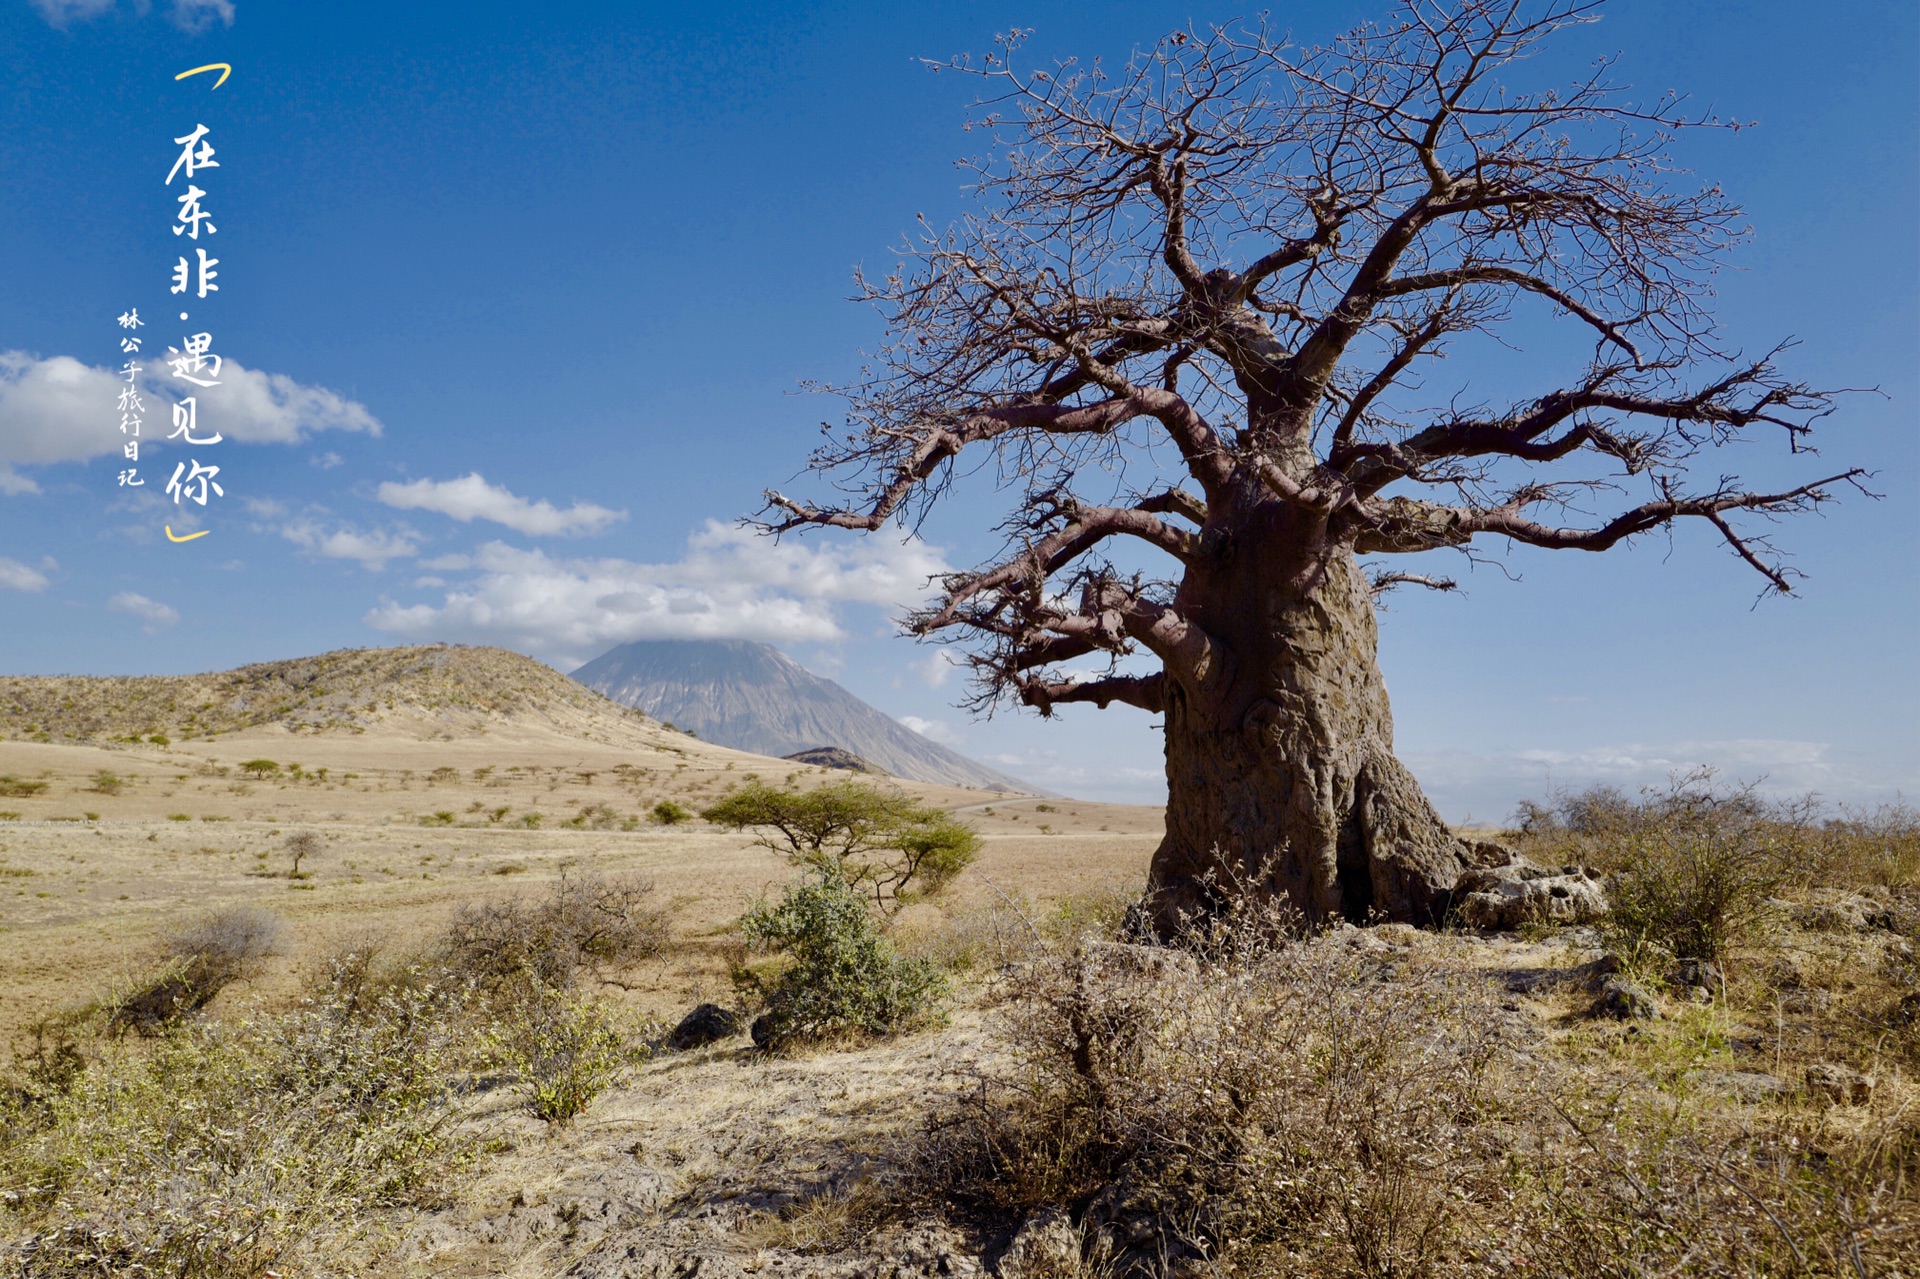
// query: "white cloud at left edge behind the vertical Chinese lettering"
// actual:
[[60, 410]]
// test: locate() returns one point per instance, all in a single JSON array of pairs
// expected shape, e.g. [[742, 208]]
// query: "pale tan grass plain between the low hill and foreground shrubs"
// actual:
[[130, 840]]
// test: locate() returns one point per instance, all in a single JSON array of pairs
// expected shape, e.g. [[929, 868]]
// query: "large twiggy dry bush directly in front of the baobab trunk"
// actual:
[[1259, 1098]]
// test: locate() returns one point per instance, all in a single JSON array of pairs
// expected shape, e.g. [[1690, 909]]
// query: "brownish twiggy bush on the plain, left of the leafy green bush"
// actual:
[[585, 927]]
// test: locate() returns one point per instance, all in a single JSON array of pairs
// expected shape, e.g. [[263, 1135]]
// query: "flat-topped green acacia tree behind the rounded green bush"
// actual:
[[880, 842]]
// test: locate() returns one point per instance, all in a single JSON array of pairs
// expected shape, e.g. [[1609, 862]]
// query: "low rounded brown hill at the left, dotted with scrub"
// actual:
[[425, 692]]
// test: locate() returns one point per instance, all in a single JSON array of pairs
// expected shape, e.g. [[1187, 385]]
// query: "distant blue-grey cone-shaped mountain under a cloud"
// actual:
[[756, 698]]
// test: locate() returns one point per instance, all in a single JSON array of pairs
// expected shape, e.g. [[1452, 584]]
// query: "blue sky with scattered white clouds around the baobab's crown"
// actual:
[[517, 302]]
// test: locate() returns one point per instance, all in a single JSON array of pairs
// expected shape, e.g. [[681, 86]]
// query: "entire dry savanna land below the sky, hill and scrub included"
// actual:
[[425, 963]]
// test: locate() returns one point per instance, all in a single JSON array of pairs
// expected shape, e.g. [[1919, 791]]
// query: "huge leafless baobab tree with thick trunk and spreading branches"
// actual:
[[1193, 320]]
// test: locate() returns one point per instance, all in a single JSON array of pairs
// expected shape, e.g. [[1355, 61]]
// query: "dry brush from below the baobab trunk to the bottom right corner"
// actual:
[[1337, 1105]]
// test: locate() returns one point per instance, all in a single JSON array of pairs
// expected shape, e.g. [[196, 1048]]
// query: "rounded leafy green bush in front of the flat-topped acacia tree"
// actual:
[[842, 977]]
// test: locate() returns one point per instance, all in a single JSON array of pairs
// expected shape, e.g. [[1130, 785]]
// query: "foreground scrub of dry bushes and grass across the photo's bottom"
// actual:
[[1260, 1101]]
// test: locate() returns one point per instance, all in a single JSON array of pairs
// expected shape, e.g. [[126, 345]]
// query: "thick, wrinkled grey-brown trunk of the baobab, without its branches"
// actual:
[[1282, 767]]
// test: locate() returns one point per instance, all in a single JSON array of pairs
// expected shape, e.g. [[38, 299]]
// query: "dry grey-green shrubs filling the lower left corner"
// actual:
[[289, 1136]]
